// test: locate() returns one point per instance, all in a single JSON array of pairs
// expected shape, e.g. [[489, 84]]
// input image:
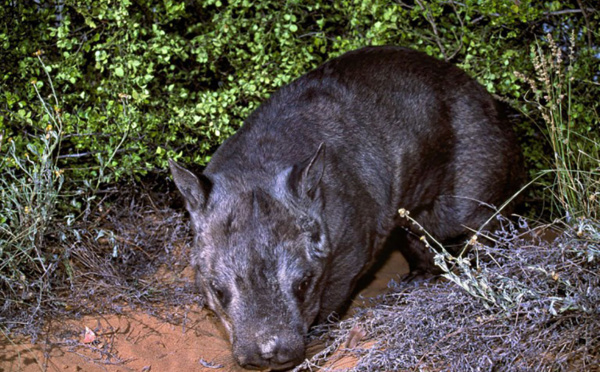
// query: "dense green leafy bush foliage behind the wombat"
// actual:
[[192, 71]]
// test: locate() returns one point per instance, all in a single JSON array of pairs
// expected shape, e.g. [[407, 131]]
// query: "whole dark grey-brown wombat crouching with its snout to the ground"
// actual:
[[294, 207]]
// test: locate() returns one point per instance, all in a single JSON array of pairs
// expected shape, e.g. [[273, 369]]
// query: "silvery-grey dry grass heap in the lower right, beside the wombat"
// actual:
[[548, 319]]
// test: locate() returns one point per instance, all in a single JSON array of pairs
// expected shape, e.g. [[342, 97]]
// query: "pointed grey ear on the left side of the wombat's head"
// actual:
[[195, 190]]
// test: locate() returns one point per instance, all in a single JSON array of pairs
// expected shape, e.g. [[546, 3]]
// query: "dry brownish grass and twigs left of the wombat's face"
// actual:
[[130, 253]]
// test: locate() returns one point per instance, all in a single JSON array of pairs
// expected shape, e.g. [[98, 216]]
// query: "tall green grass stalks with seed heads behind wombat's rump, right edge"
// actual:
[[576, 157]]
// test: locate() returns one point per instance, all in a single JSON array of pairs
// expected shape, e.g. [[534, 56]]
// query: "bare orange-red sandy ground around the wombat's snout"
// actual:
[[136, 341]]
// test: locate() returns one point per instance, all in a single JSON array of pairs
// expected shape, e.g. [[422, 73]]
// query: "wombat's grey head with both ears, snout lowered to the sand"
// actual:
[[259, 256]]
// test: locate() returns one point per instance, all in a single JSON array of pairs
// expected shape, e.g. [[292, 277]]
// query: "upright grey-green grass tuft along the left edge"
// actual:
[[31, 184]]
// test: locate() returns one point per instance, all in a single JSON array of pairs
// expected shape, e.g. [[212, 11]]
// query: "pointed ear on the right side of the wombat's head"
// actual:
[[305, 177]]
